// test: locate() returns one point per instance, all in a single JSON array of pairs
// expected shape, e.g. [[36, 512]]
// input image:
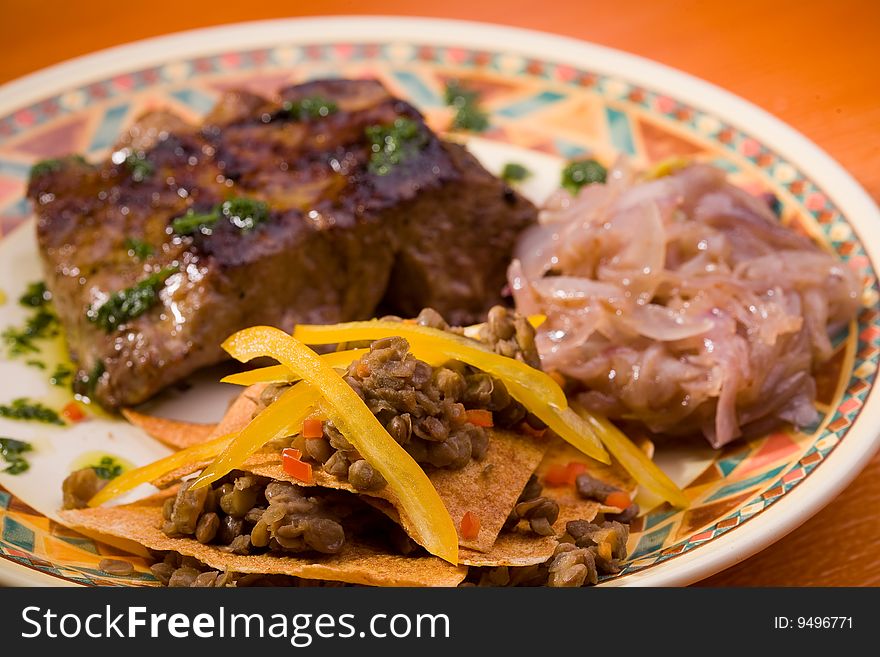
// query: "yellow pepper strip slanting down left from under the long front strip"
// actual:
[[281, 418]]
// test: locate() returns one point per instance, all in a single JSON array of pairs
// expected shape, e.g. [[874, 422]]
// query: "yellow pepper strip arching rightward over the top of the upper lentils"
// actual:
[[450, 345]]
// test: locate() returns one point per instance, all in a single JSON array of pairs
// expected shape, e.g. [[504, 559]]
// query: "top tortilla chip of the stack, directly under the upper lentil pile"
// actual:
[[488, 488]]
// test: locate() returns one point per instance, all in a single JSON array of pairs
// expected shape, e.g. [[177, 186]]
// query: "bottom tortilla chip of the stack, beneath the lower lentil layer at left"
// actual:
[[356, 564]]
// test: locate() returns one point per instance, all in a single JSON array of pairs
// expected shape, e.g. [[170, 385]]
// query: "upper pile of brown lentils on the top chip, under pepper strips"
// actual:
[[425, 409]]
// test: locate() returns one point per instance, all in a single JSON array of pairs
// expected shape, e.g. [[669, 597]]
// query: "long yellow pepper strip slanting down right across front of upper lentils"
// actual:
[[418, 498]]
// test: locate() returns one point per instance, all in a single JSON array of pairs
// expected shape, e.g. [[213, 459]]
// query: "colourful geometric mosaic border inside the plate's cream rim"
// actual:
[[517, 89]]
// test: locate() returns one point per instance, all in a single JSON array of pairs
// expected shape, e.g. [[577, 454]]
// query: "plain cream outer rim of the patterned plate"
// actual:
[[799, 503]]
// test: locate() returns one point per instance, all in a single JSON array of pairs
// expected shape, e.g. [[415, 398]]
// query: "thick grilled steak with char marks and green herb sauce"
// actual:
[[320, 206]]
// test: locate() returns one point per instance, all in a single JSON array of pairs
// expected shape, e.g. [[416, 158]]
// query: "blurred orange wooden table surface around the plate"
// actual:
[[813, 64]]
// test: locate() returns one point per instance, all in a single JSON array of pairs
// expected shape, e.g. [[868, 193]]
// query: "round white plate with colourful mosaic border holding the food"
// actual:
[[550, 98]]
